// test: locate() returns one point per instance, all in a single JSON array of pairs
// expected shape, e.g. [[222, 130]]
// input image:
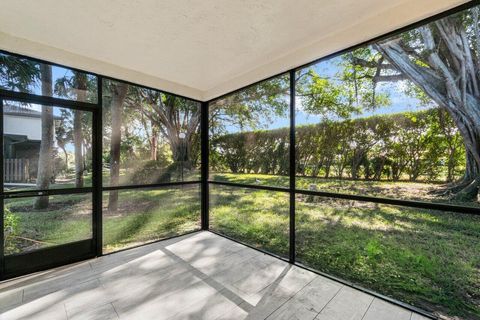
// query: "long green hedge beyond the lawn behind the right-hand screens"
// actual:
[[421, 145]]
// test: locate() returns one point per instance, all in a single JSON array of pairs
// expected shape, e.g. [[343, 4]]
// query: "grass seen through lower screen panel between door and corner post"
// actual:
[[148, 215]]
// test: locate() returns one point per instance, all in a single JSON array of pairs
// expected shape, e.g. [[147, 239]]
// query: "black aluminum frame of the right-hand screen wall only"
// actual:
[[293, 191]]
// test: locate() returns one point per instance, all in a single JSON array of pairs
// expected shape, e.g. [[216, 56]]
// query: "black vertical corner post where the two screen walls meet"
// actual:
[[205, 153]]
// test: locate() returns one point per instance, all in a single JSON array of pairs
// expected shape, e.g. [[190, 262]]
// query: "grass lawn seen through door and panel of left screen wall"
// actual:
[[143, 215]]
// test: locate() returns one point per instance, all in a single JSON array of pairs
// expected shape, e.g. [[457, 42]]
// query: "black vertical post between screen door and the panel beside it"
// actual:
[[97, 171]]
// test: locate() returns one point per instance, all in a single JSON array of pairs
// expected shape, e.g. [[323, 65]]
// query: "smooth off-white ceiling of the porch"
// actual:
[[200, 49]]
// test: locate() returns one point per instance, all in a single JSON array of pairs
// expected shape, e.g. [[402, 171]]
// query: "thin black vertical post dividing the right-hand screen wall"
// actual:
[[292, 170]]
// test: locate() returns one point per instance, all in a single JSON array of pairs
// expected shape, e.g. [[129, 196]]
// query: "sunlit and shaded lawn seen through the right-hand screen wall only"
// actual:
[[427, 258]]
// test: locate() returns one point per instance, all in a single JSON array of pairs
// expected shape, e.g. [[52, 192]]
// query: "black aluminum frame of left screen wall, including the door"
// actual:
[[38, 260]]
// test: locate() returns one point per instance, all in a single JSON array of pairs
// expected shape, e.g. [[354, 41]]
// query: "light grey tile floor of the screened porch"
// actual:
[[198, 276]]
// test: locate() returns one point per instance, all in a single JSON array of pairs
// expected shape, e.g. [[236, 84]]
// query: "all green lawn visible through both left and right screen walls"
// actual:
[[427, 258]]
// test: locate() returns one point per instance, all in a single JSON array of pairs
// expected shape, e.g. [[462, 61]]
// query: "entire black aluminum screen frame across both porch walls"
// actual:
[[97, 188]]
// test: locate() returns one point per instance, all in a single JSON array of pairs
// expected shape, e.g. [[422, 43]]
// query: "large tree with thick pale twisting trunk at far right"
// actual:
[[442, 59]]
